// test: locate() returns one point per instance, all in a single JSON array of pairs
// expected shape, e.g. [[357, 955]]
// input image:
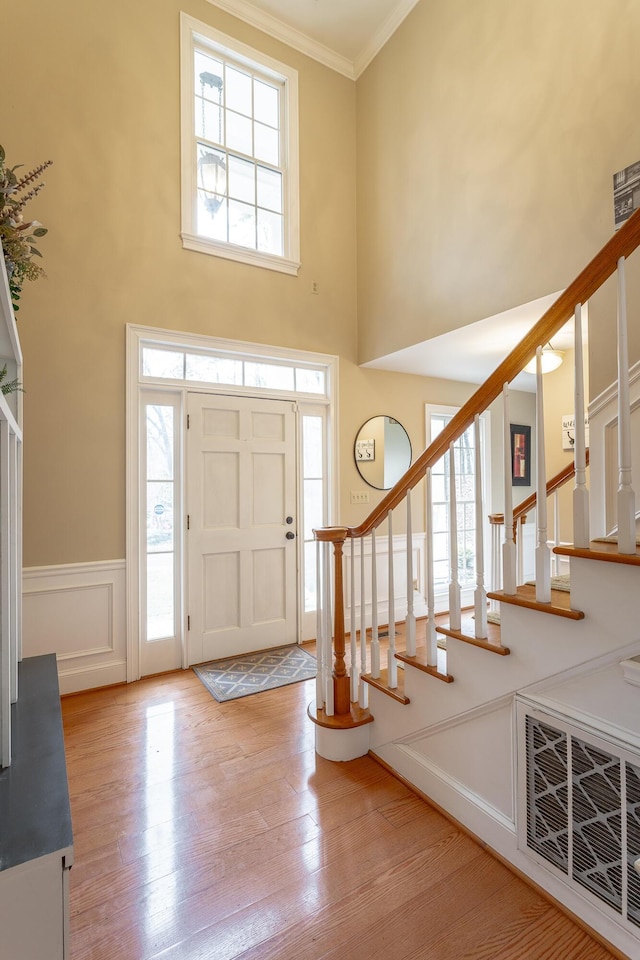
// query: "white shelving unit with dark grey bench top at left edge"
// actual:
[[36, 843]]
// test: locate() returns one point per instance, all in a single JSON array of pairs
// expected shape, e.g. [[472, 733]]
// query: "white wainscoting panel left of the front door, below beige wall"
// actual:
[[77, 611]]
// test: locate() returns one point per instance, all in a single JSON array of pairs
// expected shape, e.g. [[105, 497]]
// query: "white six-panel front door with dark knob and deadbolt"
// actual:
[[241, 506]]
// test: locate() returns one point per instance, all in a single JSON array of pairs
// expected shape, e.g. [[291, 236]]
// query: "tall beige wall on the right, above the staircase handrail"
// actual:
[[488, 136]]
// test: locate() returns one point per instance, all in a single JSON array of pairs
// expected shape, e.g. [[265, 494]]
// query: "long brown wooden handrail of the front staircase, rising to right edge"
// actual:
[[603, 265]]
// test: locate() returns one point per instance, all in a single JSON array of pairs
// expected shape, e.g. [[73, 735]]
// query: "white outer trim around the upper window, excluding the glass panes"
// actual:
[[195, 34]]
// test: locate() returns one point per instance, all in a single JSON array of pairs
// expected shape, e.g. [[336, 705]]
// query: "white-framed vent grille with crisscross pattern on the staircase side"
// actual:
[[583, 812]]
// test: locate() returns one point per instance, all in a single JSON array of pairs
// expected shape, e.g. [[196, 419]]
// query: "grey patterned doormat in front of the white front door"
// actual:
[[241, 676]]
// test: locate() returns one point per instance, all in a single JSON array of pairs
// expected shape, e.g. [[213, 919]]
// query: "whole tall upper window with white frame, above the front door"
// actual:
[[239, 151]]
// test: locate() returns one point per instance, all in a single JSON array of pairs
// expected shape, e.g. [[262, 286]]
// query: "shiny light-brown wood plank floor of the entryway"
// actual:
[[208, 831]]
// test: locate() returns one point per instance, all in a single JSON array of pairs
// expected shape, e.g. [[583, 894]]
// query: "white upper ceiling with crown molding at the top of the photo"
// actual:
[[343, 34]]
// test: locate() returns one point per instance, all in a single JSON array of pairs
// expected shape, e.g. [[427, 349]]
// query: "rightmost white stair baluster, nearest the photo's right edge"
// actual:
[[626, 497]]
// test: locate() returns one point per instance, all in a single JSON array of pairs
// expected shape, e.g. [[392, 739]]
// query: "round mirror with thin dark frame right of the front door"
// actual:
[[382, 452]]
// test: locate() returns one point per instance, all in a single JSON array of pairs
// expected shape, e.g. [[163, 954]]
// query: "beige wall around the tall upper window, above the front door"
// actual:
[[96, 90]]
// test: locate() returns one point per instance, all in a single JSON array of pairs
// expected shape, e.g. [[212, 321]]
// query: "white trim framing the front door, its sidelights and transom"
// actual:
[[136, 336]]
